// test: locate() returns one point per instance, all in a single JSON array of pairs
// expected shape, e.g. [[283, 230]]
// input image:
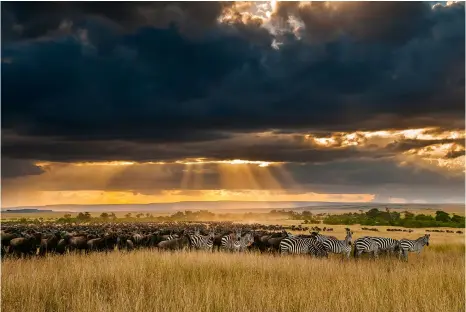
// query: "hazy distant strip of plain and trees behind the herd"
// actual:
[[372, 217]]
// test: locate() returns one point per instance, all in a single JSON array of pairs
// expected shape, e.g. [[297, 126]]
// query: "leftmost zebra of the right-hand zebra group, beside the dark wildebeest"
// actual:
[[303, 245]]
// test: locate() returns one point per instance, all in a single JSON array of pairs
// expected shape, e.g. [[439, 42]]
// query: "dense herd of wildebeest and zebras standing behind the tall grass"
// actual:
[[28, 240]]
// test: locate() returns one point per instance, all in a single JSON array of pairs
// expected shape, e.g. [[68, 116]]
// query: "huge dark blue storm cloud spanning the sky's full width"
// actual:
[[157, 83]]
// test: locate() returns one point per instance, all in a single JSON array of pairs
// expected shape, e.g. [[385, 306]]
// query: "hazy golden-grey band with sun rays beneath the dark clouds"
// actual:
[[339, 177]]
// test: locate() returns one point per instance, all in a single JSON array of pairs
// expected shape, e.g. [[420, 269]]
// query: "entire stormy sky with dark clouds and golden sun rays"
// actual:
[[142, 102]]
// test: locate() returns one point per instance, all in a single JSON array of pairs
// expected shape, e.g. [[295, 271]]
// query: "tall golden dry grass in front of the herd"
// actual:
[[152, 281]]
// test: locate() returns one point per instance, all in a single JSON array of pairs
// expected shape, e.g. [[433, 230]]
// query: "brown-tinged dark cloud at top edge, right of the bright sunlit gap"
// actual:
[[391, 22]]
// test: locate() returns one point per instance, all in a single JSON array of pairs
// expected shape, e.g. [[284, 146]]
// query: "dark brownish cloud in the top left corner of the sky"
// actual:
[[29, 20]]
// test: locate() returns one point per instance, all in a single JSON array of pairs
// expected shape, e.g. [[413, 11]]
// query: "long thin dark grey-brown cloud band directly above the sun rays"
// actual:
[[273, 150]]
